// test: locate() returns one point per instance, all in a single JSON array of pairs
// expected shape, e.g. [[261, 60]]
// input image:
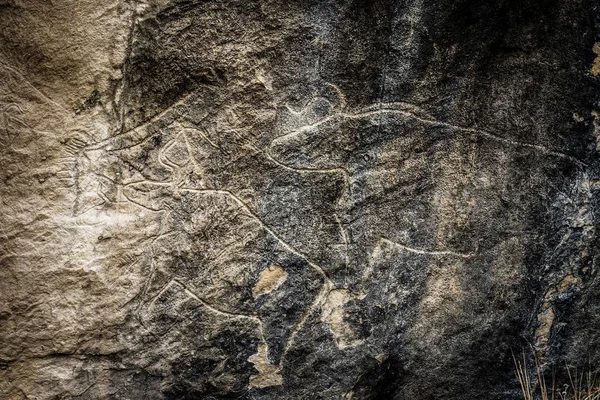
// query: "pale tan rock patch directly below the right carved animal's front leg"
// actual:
[[333, 315]]
